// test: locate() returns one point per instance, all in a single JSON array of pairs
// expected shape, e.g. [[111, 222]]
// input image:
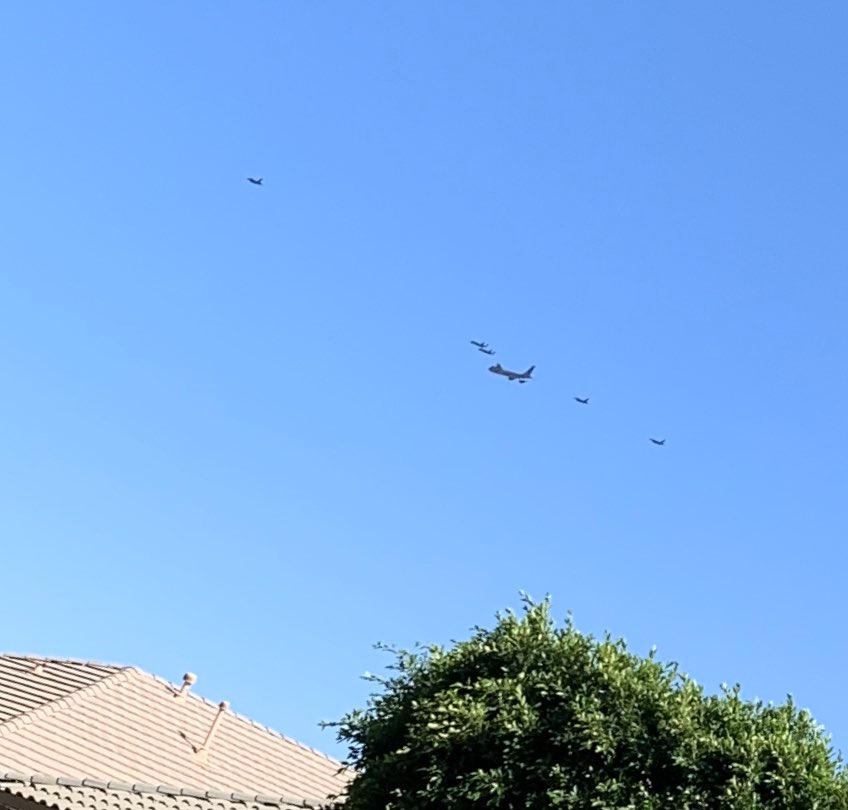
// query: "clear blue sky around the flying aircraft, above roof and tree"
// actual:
[[243, 430]]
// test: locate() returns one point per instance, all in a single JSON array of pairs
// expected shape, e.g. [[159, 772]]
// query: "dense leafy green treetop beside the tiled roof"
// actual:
[[532, 715]]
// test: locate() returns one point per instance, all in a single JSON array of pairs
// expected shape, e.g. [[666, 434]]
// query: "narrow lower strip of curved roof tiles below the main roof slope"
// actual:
[[87, 794]]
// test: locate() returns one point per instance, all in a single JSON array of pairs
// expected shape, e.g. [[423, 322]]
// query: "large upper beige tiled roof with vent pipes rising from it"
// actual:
[[128, 726]]
